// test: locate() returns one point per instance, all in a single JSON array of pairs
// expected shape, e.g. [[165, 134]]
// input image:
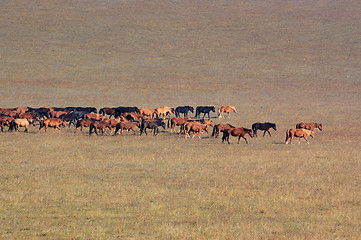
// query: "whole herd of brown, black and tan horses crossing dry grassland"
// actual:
[[130, 118]]
